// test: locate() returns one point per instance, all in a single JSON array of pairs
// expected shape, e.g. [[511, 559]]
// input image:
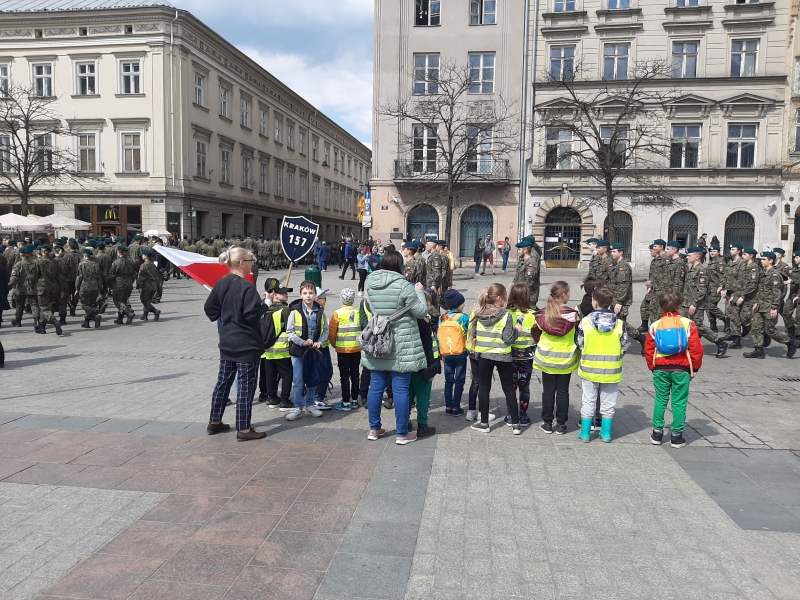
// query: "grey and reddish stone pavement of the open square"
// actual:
[[98, 418]]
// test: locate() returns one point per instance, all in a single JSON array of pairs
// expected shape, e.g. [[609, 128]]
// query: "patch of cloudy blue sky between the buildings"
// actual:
[[322, 49]]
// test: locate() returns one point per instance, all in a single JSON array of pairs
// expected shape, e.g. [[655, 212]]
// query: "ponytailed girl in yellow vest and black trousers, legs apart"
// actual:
[[491, 332]]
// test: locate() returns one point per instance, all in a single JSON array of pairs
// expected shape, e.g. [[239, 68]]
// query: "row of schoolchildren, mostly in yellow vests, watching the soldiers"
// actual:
[[500, 333]]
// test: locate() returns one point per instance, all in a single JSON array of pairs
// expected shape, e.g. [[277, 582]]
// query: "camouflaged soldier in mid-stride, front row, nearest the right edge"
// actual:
[[765, 310]]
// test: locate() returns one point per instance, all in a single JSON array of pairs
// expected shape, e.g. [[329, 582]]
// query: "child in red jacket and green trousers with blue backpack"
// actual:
[[672, 372]]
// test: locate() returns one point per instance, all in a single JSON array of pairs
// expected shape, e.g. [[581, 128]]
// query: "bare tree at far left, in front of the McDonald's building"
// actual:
[[32, 165]]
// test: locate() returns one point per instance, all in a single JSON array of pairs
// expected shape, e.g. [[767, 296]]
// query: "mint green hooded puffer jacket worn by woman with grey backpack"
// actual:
[[389, 292]]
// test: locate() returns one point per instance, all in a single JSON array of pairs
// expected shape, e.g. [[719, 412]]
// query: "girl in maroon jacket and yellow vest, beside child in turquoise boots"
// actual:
[[556, 355]]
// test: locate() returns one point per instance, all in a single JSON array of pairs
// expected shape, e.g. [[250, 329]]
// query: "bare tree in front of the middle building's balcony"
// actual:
[[449, 140]]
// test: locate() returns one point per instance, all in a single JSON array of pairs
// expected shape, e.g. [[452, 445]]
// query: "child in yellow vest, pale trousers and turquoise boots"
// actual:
[[602, 341]]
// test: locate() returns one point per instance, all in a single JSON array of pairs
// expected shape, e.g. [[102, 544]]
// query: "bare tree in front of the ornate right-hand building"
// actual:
[[612, 131]]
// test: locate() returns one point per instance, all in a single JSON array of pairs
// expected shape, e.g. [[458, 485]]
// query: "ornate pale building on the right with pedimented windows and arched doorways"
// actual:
[[728, 125]]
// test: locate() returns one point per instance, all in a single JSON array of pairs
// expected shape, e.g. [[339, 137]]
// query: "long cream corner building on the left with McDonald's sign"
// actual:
[[175, 128]]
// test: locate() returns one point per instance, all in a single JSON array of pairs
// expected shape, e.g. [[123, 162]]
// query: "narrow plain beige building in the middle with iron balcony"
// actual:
[[414, 40]]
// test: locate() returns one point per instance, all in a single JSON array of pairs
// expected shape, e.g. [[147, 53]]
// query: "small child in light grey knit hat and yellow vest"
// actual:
[[343, 331]]
